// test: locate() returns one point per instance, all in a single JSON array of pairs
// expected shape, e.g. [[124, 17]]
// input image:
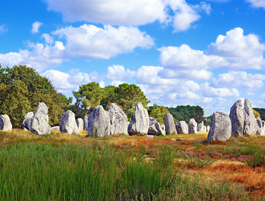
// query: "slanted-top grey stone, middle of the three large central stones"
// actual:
[[118, 120]]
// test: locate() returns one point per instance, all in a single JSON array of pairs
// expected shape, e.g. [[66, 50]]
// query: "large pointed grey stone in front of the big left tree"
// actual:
[[39, 122]]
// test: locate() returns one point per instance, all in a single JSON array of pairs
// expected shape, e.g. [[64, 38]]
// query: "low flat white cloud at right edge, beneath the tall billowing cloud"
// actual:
[[239, 78]]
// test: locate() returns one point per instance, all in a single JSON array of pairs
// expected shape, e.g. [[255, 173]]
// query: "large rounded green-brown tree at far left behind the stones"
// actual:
[[22, 88]]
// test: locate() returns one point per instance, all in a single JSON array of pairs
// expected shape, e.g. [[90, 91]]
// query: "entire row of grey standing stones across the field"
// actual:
[[114, 121]]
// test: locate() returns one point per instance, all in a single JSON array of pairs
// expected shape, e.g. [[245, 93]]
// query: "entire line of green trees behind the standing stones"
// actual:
[[22, 88]]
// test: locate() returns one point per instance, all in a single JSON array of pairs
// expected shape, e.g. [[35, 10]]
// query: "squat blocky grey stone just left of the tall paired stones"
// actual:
[[220, 127]]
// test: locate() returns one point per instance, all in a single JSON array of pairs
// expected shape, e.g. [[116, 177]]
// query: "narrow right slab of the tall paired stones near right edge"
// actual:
[[250, 123]]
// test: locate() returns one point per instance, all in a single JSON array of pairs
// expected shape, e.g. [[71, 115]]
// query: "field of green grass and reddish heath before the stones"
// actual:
[[172, 167]]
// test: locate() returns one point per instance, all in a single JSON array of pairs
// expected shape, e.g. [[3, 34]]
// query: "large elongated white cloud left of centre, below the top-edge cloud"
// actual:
[[89, 41]]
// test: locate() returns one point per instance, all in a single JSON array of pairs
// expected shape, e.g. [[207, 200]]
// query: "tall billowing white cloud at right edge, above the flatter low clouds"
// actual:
[[239, 51]]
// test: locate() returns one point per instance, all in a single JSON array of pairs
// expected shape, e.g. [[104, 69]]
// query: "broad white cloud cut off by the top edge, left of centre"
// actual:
[[124, 12]]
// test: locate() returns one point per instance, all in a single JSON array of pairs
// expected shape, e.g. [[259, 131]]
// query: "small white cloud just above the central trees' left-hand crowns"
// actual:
[[118, 72]]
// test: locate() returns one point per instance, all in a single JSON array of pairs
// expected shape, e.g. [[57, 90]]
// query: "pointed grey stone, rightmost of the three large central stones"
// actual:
[[140, 121]]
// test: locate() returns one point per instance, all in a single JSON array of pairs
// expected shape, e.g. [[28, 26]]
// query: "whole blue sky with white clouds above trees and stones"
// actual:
[[179, 52]]
